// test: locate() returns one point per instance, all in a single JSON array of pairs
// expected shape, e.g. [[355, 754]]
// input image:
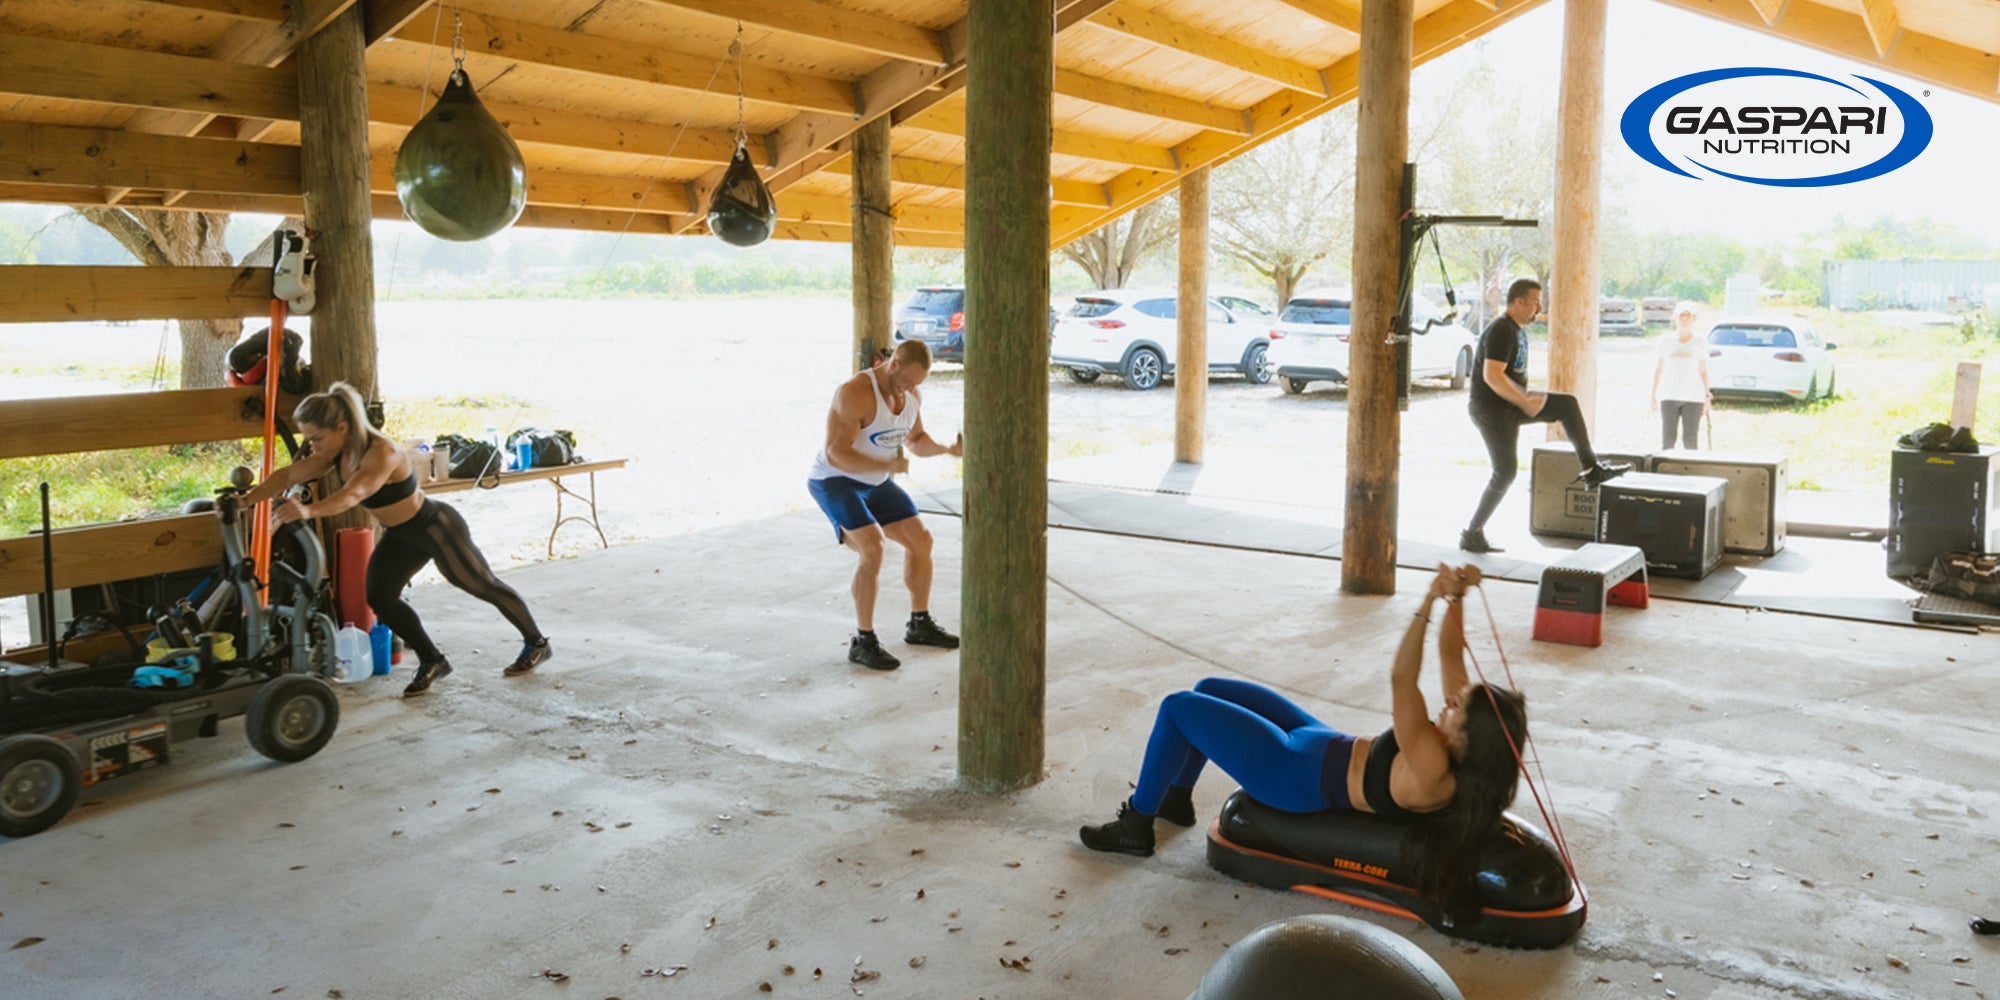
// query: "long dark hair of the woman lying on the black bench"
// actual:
[[1443, 855]]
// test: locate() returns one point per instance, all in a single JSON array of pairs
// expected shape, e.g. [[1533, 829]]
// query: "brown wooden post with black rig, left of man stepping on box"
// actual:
[[1375, 425]]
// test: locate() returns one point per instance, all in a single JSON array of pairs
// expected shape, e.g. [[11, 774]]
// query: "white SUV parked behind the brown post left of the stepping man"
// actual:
[[1311, 343]]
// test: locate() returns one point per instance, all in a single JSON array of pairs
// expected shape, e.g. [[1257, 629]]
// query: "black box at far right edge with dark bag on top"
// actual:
[[1941, 503]]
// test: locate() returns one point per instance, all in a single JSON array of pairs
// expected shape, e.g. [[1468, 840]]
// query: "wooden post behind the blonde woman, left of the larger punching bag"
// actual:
[[333, 135]]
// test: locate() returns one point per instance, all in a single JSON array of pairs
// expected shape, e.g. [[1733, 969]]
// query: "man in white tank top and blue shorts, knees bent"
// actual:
[[853, 481]]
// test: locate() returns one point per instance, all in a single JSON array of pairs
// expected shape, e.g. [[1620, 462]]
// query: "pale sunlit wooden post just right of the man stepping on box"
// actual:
[[1573, 319]]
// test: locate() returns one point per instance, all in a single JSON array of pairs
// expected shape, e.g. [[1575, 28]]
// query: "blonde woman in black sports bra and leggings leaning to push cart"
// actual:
[[381, 477]]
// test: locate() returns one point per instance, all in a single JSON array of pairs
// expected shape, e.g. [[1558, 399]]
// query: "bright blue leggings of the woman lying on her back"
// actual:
[[1255, 735]]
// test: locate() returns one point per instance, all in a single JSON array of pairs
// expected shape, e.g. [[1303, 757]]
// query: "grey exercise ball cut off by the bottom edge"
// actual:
[[1325, 957]]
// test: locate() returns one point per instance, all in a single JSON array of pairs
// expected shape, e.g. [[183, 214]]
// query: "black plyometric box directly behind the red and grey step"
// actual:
[[1677, 521]]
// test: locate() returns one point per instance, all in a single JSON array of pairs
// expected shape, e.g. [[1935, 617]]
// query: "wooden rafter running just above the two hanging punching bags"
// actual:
[[627, 61]]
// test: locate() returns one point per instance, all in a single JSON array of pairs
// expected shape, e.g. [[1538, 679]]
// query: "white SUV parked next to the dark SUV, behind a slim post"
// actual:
[[1133, 335]]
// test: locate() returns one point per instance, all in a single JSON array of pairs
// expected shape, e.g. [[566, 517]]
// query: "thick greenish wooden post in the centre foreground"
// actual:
[[1005, 599]]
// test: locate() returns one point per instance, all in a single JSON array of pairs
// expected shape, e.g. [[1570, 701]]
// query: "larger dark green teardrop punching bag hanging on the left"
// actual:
[[459, 175]]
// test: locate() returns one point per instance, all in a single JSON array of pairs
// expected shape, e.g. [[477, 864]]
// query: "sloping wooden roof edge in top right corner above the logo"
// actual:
[[1925, 57]]
